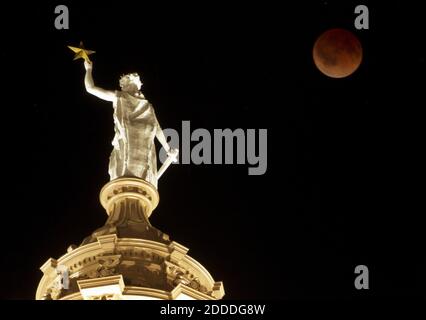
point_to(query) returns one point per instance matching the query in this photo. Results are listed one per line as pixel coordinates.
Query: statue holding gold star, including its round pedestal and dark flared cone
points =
(132, 194)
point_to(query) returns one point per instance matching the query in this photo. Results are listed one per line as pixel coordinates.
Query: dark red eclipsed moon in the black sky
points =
(337, 53)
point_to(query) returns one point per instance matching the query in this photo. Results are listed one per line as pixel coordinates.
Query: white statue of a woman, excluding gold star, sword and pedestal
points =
(136, 127)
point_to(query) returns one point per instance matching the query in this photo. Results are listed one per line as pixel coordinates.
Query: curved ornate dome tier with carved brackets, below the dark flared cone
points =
(141, 263)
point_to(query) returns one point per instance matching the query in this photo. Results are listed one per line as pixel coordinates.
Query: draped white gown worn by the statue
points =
(136, 126)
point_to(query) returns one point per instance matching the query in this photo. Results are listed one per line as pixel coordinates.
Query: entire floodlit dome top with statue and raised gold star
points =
(128, 258)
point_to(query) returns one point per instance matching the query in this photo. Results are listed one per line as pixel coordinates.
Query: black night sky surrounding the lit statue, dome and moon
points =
(343, 182)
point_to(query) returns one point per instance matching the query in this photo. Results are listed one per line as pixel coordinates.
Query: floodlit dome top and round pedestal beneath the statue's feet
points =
(128, 258)
